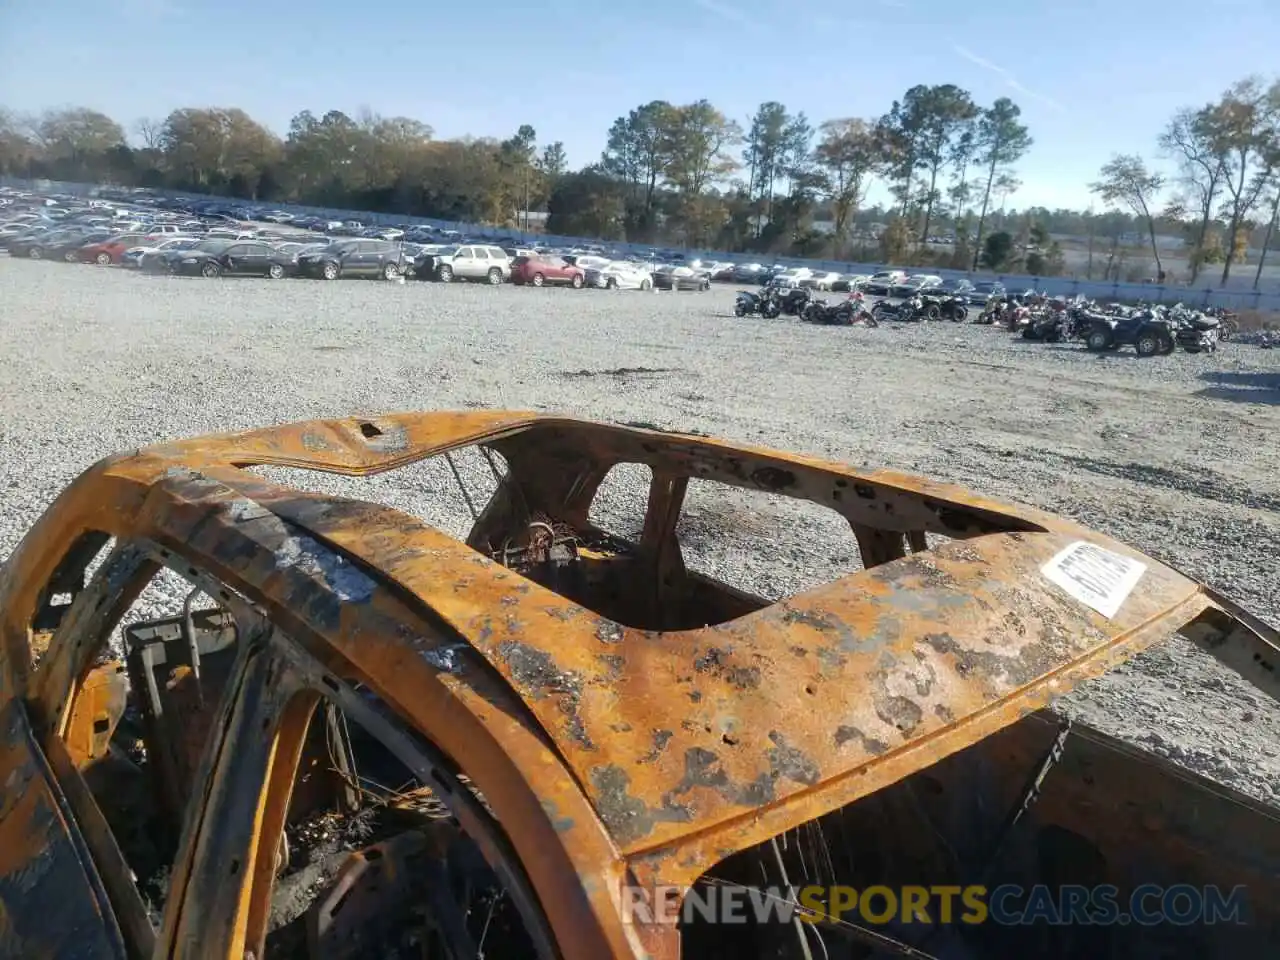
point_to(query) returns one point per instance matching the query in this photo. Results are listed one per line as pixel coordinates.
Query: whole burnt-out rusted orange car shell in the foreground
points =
(548, 714)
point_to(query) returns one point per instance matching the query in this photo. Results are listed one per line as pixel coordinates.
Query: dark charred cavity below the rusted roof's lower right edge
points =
(1104, 815)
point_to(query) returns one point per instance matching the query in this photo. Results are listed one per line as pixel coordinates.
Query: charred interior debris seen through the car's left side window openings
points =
(371, 863)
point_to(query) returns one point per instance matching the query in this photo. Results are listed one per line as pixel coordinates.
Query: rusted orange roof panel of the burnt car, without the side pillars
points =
(707, 740)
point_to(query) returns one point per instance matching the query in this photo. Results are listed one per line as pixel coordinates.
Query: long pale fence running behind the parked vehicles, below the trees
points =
(1229, 298)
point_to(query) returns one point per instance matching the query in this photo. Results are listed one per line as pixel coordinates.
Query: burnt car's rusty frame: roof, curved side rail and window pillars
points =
(609, 753)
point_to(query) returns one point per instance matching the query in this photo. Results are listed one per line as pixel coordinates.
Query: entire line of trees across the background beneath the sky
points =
(691, 175)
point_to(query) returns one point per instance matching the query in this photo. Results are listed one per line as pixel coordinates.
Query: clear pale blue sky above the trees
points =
(1094, 77)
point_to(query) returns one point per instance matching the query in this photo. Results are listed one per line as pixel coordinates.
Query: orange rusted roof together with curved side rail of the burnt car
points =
(614, 749)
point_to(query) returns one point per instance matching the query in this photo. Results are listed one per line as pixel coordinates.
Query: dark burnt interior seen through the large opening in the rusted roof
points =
(540, 522)
